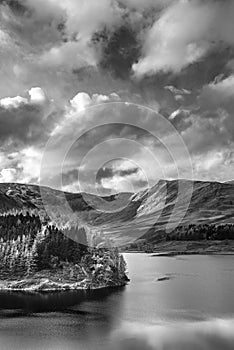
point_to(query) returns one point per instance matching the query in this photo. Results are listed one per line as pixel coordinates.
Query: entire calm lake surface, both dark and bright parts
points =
(192, 309)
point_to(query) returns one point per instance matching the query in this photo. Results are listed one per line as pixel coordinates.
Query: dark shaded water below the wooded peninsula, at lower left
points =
(63, 320)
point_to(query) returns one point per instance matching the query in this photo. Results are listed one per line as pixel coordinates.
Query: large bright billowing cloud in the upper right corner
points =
(184, 34)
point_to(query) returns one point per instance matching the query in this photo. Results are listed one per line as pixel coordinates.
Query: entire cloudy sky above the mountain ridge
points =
(112, 95)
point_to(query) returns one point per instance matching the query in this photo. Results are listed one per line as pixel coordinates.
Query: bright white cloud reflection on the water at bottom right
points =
(207, 335)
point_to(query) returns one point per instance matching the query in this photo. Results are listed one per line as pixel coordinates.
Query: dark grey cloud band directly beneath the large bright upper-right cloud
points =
(192, 78)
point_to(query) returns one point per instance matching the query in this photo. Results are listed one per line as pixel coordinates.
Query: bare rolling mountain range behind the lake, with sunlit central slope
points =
(126, 217)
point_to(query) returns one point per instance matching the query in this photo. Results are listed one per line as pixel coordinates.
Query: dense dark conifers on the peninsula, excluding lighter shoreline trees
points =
(27, 246)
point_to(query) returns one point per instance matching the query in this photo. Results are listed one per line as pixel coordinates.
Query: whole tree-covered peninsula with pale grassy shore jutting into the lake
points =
(37, 256)
